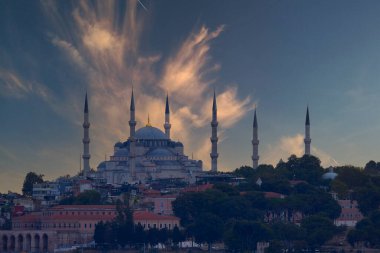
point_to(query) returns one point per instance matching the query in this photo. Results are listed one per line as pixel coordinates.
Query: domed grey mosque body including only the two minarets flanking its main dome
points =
(148, 154)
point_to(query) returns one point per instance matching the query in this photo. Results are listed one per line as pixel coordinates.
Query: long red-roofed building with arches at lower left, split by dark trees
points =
(63, 226)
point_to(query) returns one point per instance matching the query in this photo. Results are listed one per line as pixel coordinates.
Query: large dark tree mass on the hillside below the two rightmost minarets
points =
(241, 216)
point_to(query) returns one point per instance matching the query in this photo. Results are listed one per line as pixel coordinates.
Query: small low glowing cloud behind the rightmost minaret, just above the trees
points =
(289, 145)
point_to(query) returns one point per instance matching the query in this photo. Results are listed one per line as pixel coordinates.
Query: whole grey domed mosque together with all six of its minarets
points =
(150, 154)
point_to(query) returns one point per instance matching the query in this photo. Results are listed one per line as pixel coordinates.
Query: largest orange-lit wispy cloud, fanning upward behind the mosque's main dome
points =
(103, 40)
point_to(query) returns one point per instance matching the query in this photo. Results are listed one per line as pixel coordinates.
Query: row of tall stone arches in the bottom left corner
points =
(26, 241)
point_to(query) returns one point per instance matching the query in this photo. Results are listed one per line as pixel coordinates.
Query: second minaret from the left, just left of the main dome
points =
(132, 147)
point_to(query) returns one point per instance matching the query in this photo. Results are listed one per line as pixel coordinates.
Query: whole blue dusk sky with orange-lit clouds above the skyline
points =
(274, 55)
